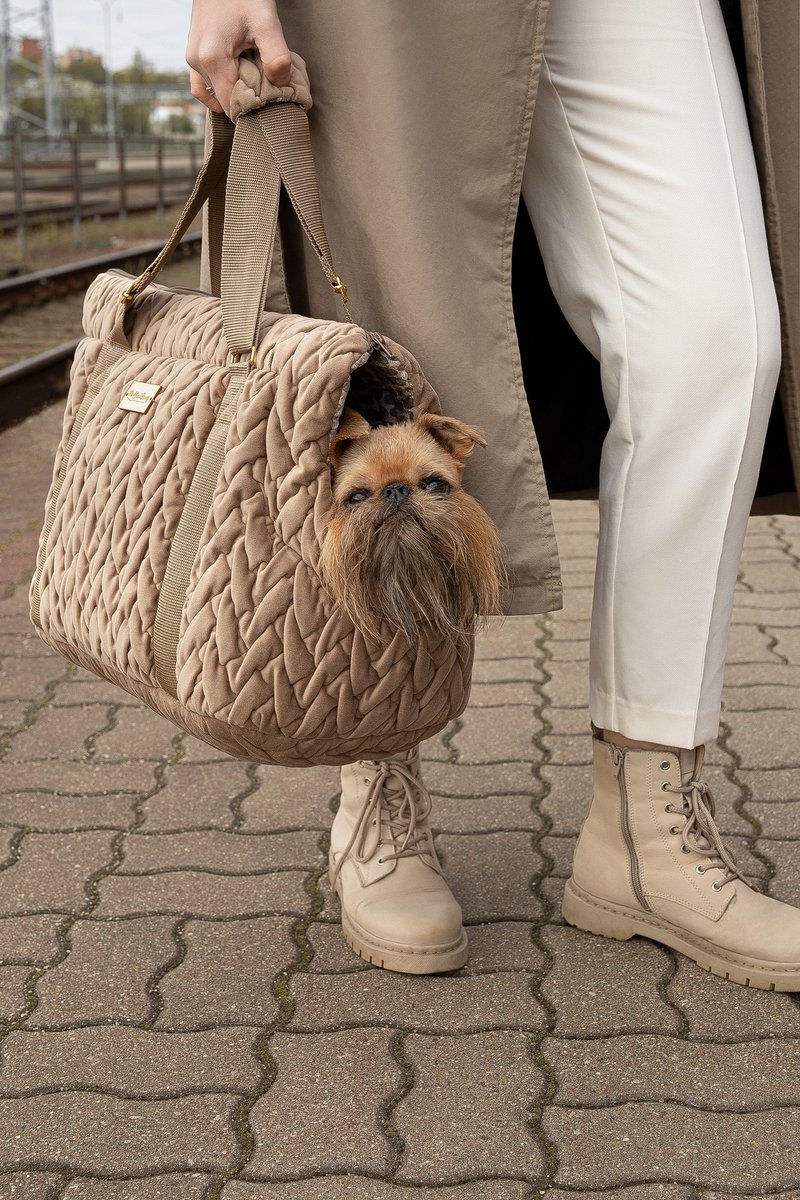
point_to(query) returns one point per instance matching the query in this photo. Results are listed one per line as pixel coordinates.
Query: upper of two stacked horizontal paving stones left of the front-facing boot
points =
(233, 854)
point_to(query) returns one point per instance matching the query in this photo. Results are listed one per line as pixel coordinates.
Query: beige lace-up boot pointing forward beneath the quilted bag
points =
(398, 910)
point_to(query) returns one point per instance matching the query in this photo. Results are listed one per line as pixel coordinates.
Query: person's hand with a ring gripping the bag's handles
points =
(219, 34)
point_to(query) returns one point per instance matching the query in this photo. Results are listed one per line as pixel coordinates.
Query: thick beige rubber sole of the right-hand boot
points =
(596, 916)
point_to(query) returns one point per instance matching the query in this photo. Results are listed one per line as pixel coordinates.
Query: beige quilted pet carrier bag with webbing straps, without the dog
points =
(193, 488)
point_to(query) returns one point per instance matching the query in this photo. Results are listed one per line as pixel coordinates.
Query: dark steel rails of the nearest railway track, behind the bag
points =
(43, 379)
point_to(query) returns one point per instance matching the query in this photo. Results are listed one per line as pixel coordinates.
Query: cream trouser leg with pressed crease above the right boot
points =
(642, 190)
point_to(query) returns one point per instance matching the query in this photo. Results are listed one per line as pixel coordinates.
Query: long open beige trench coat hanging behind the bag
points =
(420, 129)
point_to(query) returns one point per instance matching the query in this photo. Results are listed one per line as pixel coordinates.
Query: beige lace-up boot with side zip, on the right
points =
(651, 861)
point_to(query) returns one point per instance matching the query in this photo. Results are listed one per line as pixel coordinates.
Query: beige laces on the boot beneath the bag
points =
(399, 803)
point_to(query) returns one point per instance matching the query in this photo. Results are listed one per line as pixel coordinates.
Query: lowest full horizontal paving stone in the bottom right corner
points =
(611, 1147)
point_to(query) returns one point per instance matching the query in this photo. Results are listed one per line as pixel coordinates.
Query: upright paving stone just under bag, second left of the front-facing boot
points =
(197, 799)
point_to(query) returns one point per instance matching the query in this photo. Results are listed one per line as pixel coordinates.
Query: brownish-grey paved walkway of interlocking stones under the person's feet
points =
(182, 1018)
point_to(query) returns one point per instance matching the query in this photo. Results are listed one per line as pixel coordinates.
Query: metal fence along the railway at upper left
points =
(67, 181)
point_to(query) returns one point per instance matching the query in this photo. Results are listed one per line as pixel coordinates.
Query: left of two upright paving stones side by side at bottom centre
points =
(322, 1077)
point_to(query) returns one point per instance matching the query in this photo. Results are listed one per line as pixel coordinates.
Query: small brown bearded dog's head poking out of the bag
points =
(408, 549)
